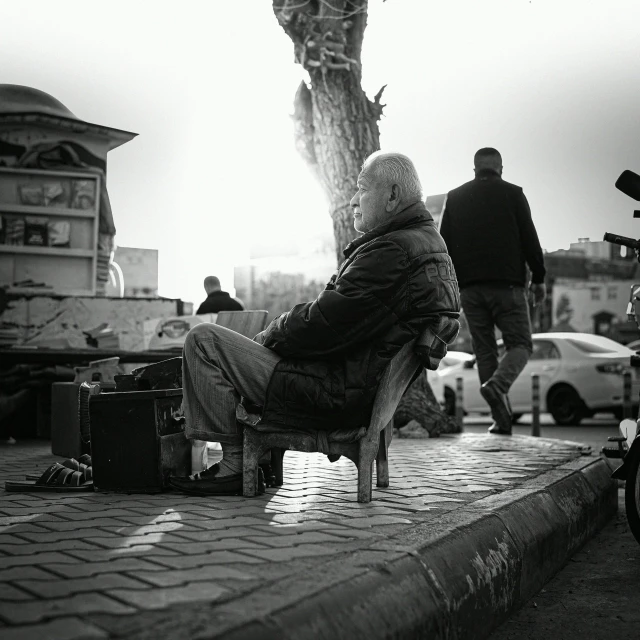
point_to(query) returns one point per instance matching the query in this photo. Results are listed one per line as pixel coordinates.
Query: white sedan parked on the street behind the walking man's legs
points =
(580, 374)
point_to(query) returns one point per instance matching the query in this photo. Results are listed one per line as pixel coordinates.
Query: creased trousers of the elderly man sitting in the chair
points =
(219, 366)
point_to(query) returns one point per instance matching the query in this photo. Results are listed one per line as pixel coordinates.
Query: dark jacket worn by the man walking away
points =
(489, 233)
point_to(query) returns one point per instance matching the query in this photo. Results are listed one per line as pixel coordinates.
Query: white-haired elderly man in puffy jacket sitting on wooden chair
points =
(319, 364)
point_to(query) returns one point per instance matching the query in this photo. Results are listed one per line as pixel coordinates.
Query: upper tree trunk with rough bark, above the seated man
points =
(335, 124)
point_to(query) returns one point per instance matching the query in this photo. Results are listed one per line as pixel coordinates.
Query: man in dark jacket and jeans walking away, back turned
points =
(491, 239)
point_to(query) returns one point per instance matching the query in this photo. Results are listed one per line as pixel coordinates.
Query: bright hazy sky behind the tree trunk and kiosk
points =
(209, 85)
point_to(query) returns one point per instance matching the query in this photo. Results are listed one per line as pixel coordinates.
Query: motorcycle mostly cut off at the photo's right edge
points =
(628, 442)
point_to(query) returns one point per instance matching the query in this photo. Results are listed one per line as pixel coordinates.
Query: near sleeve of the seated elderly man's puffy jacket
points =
(361, 306)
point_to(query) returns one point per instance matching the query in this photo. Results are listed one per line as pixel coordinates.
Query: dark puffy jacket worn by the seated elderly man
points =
(396, 280)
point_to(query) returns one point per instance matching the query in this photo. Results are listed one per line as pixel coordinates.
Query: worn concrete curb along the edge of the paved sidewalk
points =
(458, 577)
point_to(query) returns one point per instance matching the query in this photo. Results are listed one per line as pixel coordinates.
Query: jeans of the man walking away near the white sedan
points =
(486, 307)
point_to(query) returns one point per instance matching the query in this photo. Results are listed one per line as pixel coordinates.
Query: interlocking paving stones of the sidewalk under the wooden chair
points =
(94, 565)
